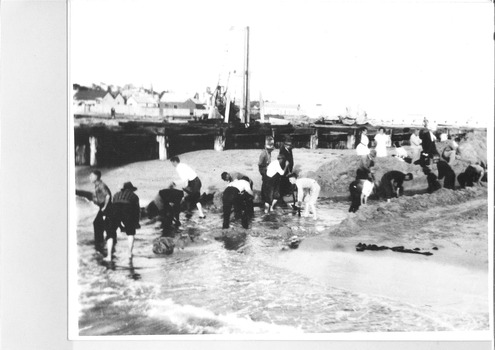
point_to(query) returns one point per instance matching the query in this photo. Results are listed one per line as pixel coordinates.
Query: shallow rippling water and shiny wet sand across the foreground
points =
(242, 281)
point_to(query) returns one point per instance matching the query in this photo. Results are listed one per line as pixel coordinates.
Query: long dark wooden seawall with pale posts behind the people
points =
(131, 141)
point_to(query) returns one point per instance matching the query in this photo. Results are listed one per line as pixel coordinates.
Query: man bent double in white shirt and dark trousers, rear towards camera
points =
(239, 195)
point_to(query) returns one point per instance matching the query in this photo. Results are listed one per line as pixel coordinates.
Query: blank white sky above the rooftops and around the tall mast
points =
(389, 58)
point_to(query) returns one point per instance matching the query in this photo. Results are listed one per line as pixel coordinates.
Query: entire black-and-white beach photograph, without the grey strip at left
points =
(280, 170)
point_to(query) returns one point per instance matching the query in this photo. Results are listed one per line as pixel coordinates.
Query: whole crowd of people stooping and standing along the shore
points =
(278, 181)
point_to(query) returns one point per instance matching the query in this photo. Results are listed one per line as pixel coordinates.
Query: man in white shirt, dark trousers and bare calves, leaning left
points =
(192, 186)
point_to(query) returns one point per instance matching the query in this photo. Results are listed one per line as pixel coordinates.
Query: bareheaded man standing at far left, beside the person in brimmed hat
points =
(102, 197)
